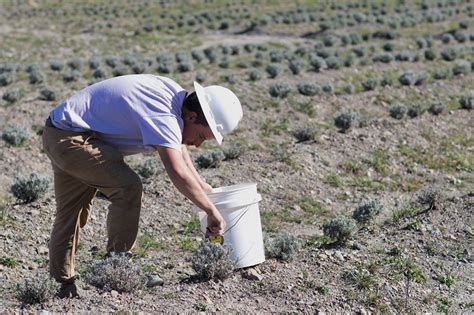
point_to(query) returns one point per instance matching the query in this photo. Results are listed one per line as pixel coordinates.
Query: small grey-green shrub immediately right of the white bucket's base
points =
(283, 247)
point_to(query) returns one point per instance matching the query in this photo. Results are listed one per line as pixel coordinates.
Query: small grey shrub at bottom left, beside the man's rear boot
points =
(38, 290)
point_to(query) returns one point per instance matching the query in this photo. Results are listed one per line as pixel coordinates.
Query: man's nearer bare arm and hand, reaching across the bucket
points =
(183, 178)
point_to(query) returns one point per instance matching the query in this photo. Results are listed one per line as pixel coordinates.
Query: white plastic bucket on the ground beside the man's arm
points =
(238, 205)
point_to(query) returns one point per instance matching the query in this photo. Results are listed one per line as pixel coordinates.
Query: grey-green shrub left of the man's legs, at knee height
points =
(30, 188)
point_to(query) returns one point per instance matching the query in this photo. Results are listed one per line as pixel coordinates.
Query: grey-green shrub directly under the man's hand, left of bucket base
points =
(212, 261)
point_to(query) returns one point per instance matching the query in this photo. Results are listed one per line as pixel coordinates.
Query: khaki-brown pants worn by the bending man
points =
(82, 164)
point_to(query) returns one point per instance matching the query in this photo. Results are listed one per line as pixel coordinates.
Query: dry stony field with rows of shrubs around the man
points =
(345, 102)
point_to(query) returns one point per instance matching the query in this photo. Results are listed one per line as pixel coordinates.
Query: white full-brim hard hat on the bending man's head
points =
(221, 107)
